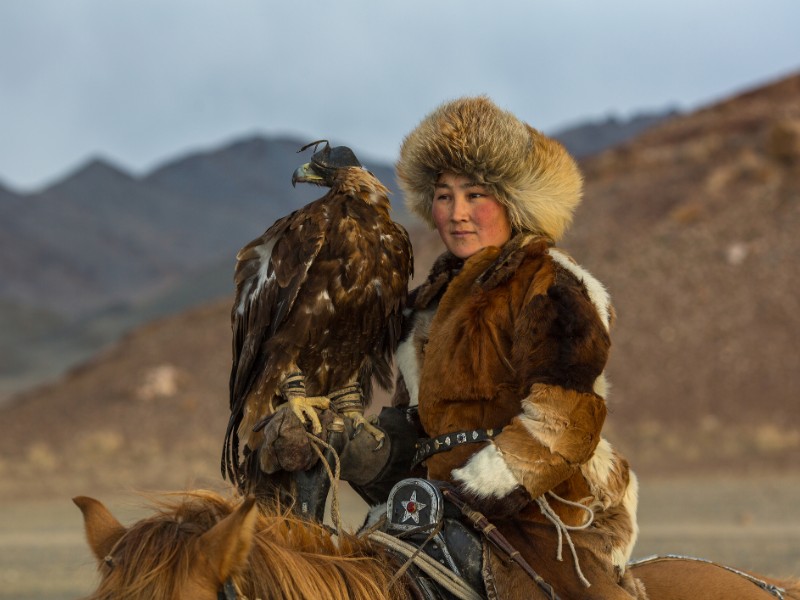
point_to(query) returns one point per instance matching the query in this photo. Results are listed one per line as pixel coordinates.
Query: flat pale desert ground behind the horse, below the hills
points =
(750, 523)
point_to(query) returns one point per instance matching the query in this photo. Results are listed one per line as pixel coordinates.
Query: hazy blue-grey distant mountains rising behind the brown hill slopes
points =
(102, 251)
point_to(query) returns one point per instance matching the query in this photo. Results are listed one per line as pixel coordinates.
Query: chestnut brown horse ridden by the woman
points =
(197, 543)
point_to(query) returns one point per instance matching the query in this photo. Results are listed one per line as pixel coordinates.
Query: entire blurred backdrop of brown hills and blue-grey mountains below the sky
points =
(690, 219)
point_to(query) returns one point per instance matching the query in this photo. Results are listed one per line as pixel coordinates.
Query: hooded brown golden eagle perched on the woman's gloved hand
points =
(318, 307)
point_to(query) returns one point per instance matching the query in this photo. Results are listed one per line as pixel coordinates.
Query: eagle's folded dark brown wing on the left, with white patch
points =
(270, 271)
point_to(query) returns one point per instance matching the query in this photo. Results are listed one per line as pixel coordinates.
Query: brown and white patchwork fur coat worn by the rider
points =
(517, 338)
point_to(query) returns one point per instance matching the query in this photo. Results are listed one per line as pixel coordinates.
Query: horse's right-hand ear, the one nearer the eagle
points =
(227, 544)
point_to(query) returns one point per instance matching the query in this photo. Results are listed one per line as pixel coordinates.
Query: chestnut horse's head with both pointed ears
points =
(187, 552)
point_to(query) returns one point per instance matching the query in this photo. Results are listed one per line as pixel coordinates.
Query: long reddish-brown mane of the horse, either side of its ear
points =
(290, 558)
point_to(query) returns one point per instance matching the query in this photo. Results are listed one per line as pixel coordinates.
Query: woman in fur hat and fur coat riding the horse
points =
(508, 334)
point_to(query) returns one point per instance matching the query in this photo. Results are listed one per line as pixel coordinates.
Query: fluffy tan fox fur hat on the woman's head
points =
(531, 174)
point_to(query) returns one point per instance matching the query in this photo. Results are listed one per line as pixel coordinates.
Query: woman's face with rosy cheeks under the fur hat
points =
(467, 217)
